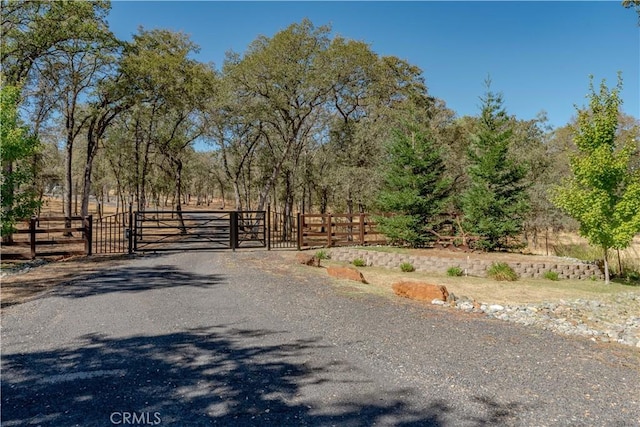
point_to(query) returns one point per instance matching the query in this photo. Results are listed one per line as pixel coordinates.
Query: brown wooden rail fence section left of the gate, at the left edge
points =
(59, 234)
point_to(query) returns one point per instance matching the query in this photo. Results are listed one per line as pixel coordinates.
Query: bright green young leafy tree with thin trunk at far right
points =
(603, 194)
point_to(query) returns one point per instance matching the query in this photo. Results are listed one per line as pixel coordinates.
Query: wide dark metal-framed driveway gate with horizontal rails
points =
(156, 231)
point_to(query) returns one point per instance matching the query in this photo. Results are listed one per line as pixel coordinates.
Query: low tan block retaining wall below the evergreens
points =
(473, 267)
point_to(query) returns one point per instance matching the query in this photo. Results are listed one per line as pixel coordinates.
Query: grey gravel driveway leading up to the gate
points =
(225, 338)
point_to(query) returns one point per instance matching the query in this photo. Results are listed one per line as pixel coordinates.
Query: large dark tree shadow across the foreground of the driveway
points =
(216, 375)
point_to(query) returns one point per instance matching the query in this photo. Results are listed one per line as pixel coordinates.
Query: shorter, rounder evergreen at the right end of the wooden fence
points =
(415, 189)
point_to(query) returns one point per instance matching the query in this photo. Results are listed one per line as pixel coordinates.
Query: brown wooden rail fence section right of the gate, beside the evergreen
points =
(337, 230)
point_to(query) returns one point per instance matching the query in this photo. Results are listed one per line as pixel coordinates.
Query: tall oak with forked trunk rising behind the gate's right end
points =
(287, 82)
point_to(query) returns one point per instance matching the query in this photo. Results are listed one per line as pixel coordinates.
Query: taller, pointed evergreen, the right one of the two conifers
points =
(495, 203)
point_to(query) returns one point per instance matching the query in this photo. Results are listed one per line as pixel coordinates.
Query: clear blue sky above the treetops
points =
(539, 54)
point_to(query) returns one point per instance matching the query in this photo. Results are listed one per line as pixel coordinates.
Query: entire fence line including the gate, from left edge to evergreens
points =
(191, 230)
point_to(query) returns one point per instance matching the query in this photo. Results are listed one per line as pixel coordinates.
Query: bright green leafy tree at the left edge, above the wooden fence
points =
(19, 199)
